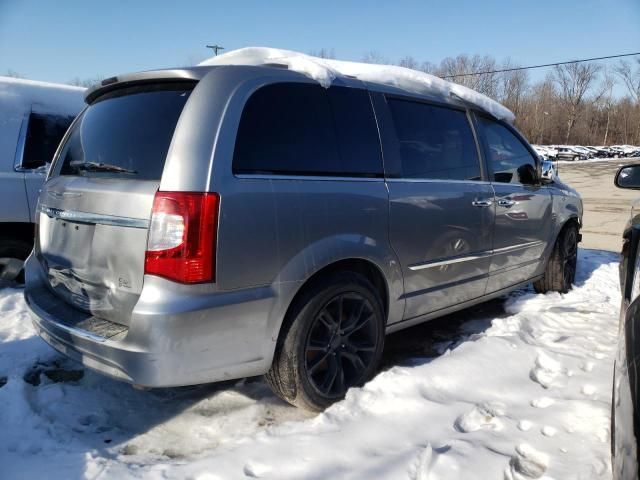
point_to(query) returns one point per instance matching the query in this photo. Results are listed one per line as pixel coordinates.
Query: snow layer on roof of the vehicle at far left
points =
(18, 94)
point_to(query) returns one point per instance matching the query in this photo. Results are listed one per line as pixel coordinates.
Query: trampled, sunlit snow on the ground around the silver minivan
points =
(515, 389)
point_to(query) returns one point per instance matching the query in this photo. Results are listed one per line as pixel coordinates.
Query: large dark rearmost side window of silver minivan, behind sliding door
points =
(305, 129)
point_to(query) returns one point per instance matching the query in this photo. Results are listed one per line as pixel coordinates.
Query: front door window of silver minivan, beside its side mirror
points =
(508, 158)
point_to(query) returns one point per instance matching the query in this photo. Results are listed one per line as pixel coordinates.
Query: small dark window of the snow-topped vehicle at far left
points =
(44, 133)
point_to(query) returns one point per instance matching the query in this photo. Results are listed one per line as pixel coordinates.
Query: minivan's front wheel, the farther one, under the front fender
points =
(560, 272)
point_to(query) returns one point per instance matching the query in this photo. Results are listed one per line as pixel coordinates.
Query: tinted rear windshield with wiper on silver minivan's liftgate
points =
(125, 133)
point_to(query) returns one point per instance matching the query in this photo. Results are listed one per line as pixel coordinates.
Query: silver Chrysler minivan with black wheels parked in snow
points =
(211, 223)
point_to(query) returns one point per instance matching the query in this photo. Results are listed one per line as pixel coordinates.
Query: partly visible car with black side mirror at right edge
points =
(625, 403)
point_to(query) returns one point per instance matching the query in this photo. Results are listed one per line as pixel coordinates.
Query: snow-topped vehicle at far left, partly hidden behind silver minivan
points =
(33, 118)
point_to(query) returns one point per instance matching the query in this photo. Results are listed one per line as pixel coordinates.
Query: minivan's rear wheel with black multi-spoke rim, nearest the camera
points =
(318, 358)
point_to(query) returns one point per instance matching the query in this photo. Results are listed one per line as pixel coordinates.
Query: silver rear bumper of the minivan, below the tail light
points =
(171, 340)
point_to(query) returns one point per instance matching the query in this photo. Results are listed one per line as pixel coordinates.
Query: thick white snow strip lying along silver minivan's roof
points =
(324, 71)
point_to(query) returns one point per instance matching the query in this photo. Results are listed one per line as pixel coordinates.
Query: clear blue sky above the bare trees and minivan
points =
(60, 40)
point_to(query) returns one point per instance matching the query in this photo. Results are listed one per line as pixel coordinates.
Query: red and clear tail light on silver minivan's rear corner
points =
(182, 237)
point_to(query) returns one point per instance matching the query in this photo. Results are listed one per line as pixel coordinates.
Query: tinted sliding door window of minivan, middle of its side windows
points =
(435, 142)
